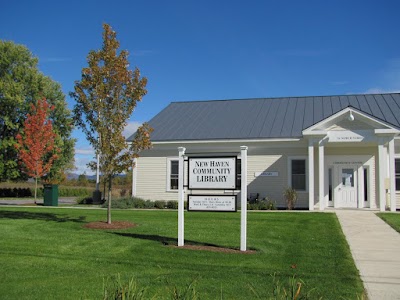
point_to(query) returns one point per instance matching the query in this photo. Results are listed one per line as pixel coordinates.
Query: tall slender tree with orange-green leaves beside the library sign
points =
(106, 97)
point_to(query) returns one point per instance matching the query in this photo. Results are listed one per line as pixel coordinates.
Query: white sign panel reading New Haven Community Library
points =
(212, 173)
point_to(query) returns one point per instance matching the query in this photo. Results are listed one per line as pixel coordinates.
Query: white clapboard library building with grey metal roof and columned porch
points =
(335, 151)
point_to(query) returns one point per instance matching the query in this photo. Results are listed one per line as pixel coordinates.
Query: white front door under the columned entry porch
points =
(348, 195)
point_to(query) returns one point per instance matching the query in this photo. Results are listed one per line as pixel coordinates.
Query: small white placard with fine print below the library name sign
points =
(212, 203)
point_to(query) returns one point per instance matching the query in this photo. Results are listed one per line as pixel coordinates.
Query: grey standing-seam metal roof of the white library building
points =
(263, 118)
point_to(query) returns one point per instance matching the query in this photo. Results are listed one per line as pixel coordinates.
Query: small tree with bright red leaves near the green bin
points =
(36, 143)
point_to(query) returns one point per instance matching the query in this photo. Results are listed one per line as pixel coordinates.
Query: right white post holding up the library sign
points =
(243, 210)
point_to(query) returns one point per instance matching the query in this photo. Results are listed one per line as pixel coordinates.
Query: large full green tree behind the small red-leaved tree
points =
(21, 84)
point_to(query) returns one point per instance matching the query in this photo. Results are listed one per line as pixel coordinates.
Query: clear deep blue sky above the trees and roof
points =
(207, 50)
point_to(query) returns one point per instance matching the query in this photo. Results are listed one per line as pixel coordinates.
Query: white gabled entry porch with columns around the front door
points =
(347, 179)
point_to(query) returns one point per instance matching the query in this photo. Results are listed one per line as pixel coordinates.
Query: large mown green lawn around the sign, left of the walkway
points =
(45, 253)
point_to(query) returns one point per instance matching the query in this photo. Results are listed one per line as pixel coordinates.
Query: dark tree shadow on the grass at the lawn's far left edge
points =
(6, 214)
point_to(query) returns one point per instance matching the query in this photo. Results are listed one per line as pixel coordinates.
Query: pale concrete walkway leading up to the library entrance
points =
(375, 247)
